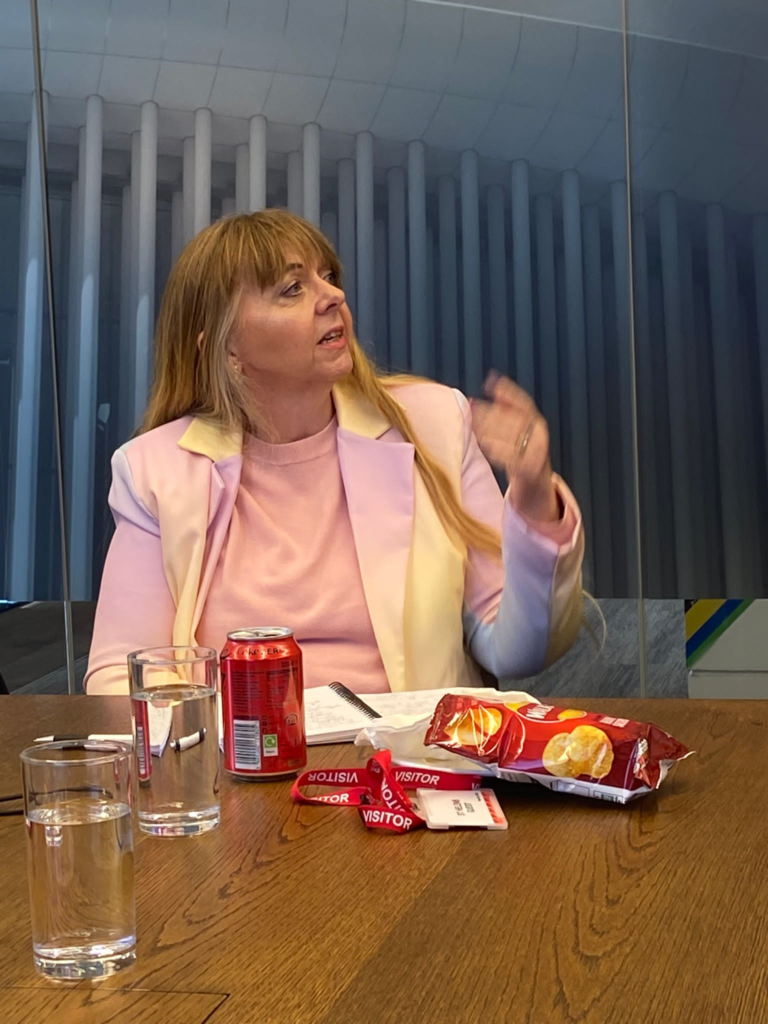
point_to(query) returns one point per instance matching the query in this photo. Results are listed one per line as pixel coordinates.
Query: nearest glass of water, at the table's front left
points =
(77, 797)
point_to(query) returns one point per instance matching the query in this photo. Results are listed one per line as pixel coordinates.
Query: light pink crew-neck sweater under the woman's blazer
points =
(290, 561)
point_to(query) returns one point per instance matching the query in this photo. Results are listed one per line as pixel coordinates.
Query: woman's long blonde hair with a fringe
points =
(194, 374)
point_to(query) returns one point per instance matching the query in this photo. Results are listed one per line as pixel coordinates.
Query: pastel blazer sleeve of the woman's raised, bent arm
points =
(523, 615)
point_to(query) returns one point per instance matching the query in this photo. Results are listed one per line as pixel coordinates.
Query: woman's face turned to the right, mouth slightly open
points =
(295, 332)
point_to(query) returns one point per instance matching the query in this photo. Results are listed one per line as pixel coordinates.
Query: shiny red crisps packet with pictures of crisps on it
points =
(569, 751)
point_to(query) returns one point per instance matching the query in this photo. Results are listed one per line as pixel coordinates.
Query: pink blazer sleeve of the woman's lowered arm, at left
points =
(136, 609)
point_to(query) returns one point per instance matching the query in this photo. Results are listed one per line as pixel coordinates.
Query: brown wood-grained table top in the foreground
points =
(297, 915)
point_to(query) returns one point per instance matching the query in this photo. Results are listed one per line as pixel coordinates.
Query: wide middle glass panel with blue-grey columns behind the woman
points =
(467, 161)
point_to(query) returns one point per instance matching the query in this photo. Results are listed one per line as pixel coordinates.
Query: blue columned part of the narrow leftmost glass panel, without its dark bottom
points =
(30, 568)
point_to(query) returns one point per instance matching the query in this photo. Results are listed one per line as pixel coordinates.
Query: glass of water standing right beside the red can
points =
(176, 740)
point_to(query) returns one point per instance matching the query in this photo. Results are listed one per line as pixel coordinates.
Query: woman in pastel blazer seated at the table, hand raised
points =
(279, 481)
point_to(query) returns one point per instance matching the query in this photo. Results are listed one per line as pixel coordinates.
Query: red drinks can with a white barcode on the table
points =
(263, 703)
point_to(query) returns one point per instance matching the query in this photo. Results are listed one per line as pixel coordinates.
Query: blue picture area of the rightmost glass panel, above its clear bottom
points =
(701, 251)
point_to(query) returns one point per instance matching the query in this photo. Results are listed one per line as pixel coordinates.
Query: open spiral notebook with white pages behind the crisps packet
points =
(335, 715)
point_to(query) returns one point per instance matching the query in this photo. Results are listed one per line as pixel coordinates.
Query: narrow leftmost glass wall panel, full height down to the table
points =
(33, 653)
